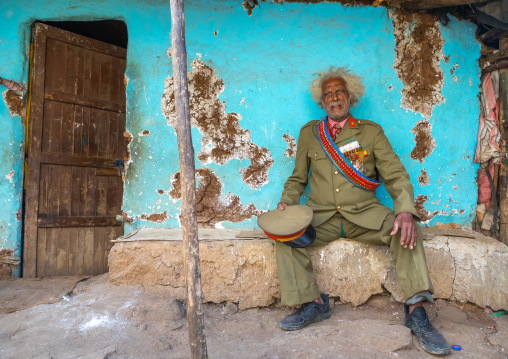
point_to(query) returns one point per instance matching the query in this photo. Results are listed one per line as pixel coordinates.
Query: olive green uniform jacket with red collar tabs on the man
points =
(330, 191)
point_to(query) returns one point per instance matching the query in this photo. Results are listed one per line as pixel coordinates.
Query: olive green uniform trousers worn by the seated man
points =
(297, 281)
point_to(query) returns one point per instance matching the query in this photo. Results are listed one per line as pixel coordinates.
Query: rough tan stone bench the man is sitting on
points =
(464, 267)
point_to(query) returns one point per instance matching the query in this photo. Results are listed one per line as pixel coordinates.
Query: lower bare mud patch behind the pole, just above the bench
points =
(211, 208)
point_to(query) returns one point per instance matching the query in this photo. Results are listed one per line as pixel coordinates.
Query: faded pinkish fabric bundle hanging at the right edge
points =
(487, 149)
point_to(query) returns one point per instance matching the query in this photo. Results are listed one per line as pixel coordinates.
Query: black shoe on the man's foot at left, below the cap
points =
(308, 313)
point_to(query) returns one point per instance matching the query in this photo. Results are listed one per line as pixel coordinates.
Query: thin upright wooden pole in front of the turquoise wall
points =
(188, 216)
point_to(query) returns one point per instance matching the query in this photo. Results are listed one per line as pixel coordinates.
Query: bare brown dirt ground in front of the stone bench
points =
(93, 319)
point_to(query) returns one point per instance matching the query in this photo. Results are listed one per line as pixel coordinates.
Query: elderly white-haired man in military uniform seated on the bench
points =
(348, 159)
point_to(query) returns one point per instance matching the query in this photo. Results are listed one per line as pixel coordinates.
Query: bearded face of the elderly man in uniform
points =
(336, 99)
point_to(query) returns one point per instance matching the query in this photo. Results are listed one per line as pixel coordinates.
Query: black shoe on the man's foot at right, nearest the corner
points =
(430, 339)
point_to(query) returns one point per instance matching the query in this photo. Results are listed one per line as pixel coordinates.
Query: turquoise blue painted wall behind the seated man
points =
(270, 57)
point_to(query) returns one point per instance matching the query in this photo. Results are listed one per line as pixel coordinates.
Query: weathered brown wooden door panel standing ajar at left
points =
(76, 150)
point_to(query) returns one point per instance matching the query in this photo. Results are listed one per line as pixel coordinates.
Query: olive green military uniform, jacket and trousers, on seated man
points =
(339, 206)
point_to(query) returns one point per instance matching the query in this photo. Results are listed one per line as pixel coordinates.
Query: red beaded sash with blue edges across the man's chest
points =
(340, 162)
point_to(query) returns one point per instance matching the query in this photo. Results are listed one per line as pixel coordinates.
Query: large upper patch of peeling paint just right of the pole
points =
(222, 137)
